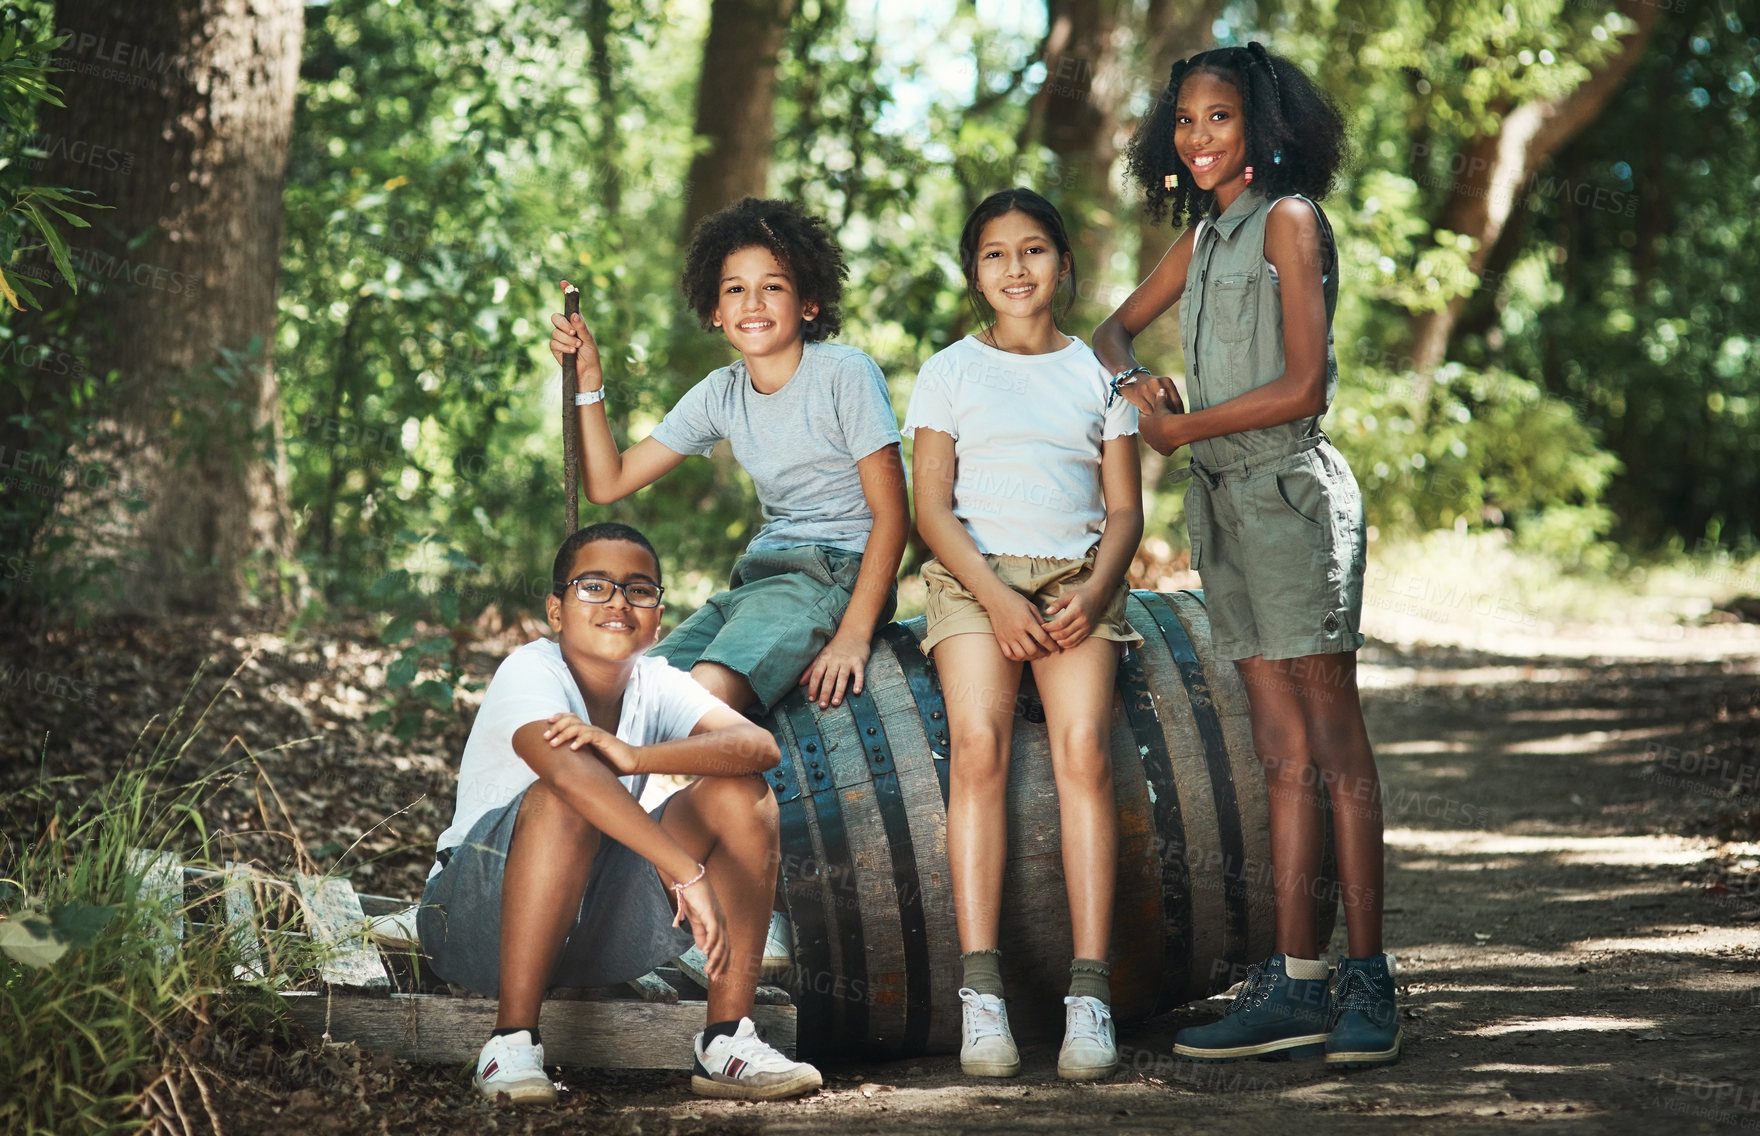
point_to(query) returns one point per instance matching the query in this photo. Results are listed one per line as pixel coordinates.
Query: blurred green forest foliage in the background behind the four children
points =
(451, 163)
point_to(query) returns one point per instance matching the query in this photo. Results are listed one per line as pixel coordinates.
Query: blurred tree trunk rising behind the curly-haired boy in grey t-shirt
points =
(737, 105)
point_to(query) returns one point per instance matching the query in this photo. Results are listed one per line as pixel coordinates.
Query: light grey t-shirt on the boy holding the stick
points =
(800, 445)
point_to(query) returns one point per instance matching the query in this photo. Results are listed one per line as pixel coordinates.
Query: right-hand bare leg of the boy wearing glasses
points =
(730, 823)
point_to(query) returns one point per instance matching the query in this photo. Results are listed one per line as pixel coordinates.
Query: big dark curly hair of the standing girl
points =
(1286, 112)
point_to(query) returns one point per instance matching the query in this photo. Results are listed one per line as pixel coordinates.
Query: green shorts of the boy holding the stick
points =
(781, 610)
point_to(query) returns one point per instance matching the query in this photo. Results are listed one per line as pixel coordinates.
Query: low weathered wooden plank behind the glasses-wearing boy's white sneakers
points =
(450, 1031)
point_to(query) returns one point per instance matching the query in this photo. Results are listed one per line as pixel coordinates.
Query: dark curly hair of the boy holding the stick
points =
(802, 244)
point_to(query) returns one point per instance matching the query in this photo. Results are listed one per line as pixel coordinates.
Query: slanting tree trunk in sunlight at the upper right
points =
(1499, 168)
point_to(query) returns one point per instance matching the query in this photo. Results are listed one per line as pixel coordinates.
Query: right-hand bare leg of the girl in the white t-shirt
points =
(1080, 721)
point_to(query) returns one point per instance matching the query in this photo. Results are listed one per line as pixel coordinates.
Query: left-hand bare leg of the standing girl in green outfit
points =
(1293, 786)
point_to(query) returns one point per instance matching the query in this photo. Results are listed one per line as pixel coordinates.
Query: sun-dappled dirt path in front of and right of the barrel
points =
(1576, 936)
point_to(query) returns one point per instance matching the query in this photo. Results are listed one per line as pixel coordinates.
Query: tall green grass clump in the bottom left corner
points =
(105, 1015)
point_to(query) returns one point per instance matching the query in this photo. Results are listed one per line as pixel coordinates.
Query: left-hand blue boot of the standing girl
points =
(1273, 1017)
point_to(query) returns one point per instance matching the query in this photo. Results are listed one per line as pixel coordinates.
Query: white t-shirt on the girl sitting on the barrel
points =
(1027, 436)
